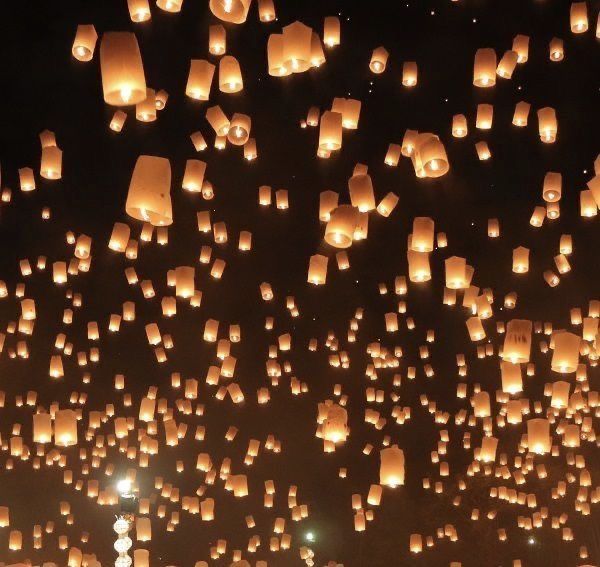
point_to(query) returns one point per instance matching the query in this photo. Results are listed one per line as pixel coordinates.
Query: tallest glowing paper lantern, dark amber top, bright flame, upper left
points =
(123, 80)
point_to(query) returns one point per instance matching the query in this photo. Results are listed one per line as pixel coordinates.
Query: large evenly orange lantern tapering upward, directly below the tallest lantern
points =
(149, 197)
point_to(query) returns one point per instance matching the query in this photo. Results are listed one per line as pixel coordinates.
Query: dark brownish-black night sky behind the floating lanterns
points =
(45, 87)
